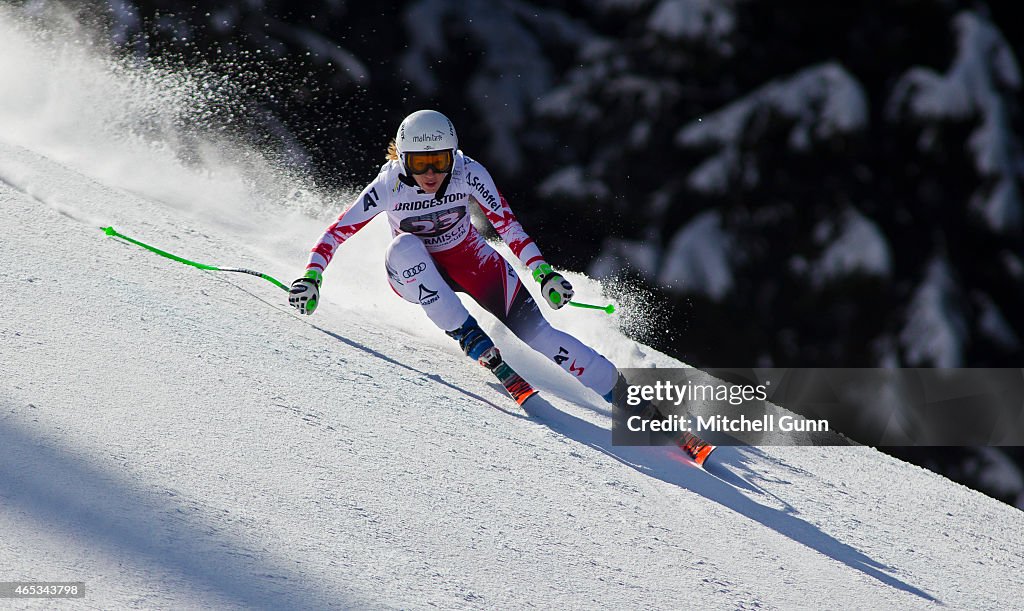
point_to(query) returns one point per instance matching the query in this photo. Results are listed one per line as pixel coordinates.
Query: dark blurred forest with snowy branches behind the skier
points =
(800, 185)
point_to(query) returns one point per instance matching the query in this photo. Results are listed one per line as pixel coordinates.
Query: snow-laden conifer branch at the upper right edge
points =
(982, 83)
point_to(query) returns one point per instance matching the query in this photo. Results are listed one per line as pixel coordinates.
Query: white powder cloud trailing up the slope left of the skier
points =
(162, 134)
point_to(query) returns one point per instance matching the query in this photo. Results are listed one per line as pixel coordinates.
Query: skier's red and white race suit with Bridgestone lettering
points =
(438, 251)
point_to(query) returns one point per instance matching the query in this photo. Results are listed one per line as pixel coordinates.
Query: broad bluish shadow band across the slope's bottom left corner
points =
(100, 511)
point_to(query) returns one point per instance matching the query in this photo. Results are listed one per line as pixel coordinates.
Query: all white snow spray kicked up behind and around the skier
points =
(158, 134)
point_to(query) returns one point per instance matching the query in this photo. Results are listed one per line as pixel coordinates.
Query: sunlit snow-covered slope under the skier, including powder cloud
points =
(181, 440)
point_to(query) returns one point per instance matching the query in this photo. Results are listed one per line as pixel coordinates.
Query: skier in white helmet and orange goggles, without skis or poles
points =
(426, 190)
